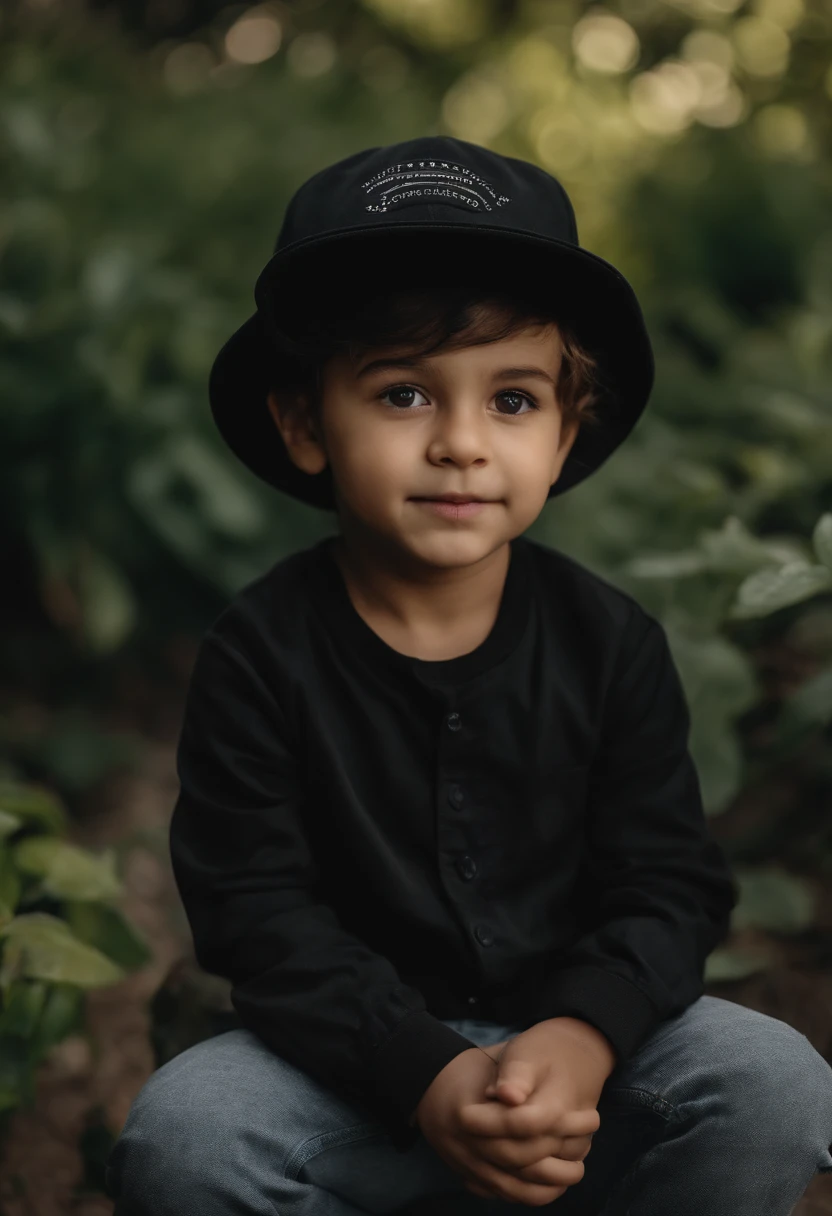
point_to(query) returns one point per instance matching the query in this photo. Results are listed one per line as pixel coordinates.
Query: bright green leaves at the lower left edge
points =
(61, 934)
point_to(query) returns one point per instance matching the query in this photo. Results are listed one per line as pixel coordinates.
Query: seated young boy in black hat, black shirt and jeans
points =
(436, 790)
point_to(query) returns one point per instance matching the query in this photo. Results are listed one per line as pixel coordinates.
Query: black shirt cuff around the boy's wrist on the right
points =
(612, 1005)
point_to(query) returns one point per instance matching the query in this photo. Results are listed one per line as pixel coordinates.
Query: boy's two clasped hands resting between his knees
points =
(527, 1142)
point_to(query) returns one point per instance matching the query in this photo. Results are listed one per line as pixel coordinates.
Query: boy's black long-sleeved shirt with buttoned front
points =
(367, 843)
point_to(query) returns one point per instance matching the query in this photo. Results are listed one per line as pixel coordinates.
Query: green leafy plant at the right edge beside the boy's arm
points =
(734, 581)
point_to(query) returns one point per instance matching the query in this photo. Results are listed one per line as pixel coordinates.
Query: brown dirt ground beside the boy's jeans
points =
(91, 1080)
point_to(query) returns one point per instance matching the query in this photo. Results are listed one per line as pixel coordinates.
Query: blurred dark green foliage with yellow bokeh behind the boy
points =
(148, 153)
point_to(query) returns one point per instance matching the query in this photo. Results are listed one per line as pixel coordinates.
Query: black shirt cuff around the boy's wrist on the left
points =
(407, 1065)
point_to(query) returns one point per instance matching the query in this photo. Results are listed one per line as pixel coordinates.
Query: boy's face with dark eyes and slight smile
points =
(482, 421)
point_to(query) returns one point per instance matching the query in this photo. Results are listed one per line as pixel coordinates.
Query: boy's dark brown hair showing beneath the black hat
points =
(423, 320)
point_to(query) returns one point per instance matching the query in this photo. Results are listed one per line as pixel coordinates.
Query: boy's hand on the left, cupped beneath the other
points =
(524, 1168)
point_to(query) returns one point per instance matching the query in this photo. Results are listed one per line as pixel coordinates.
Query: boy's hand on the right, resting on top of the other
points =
(549, 1078)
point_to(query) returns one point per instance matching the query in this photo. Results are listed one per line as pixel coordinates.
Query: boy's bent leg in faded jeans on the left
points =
(232, 1122)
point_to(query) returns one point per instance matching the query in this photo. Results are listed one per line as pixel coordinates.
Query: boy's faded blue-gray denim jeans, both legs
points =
(723, 1111)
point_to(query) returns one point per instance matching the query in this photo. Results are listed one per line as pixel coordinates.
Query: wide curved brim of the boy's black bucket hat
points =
(594, 296)
